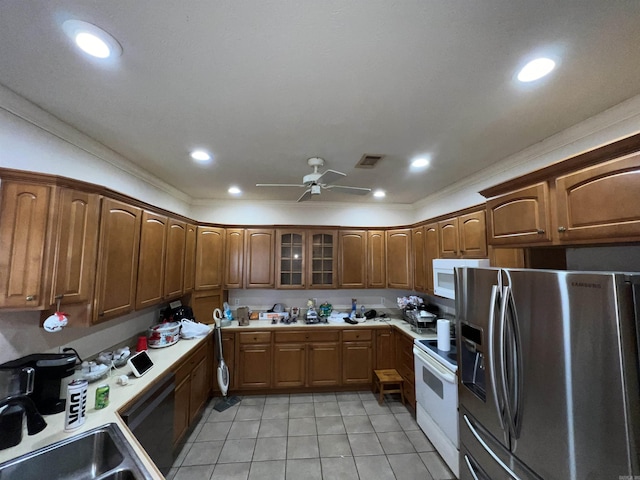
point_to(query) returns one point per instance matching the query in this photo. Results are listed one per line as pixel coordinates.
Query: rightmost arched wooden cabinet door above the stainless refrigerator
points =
(601, 202)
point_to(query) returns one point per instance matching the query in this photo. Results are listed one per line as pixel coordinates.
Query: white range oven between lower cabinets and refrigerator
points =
(437, 398)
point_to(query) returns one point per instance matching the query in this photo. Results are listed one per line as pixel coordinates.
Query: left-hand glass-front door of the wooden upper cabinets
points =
(290, 264)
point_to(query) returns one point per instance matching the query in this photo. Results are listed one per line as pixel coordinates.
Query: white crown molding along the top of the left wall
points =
(33, 114)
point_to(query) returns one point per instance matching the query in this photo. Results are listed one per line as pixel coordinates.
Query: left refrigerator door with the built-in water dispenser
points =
(477, 305)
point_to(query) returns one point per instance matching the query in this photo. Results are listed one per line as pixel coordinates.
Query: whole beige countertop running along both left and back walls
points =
(163, 359)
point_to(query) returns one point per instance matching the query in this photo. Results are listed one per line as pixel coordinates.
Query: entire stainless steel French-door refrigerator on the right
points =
(549, 374)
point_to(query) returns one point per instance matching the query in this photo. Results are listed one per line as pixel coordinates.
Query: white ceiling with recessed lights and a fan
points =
(266, 84)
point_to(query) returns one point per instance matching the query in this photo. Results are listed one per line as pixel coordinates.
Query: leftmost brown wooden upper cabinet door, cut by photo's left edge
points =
(24, 216)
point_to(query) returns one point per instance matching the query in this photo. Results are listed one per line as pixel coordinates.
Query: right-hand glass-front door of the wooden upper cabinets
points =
(323, 259)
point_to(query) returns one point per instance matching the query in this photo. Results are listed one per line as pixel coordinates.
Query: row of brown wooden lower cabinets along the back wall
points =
(324, 357)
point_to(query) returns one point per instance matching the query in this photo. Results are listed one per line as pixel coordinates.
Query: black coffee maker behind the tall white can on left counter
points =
(49, 370)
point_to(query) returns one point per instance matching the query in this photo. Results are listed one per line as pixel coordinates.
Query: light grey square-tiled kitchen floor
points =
(314, 436)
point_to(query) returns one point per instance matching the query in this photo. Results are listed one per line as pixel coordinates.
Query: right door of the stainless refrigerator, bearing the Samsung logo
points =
(571, 412)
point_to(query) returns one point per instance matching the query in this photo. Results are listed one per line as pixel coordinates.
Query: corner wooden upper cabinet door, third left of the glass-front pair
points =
(209, 258)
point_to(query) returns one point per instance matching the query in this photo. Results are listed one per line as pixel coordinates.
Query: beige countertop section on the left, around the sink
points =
(119, 396)
